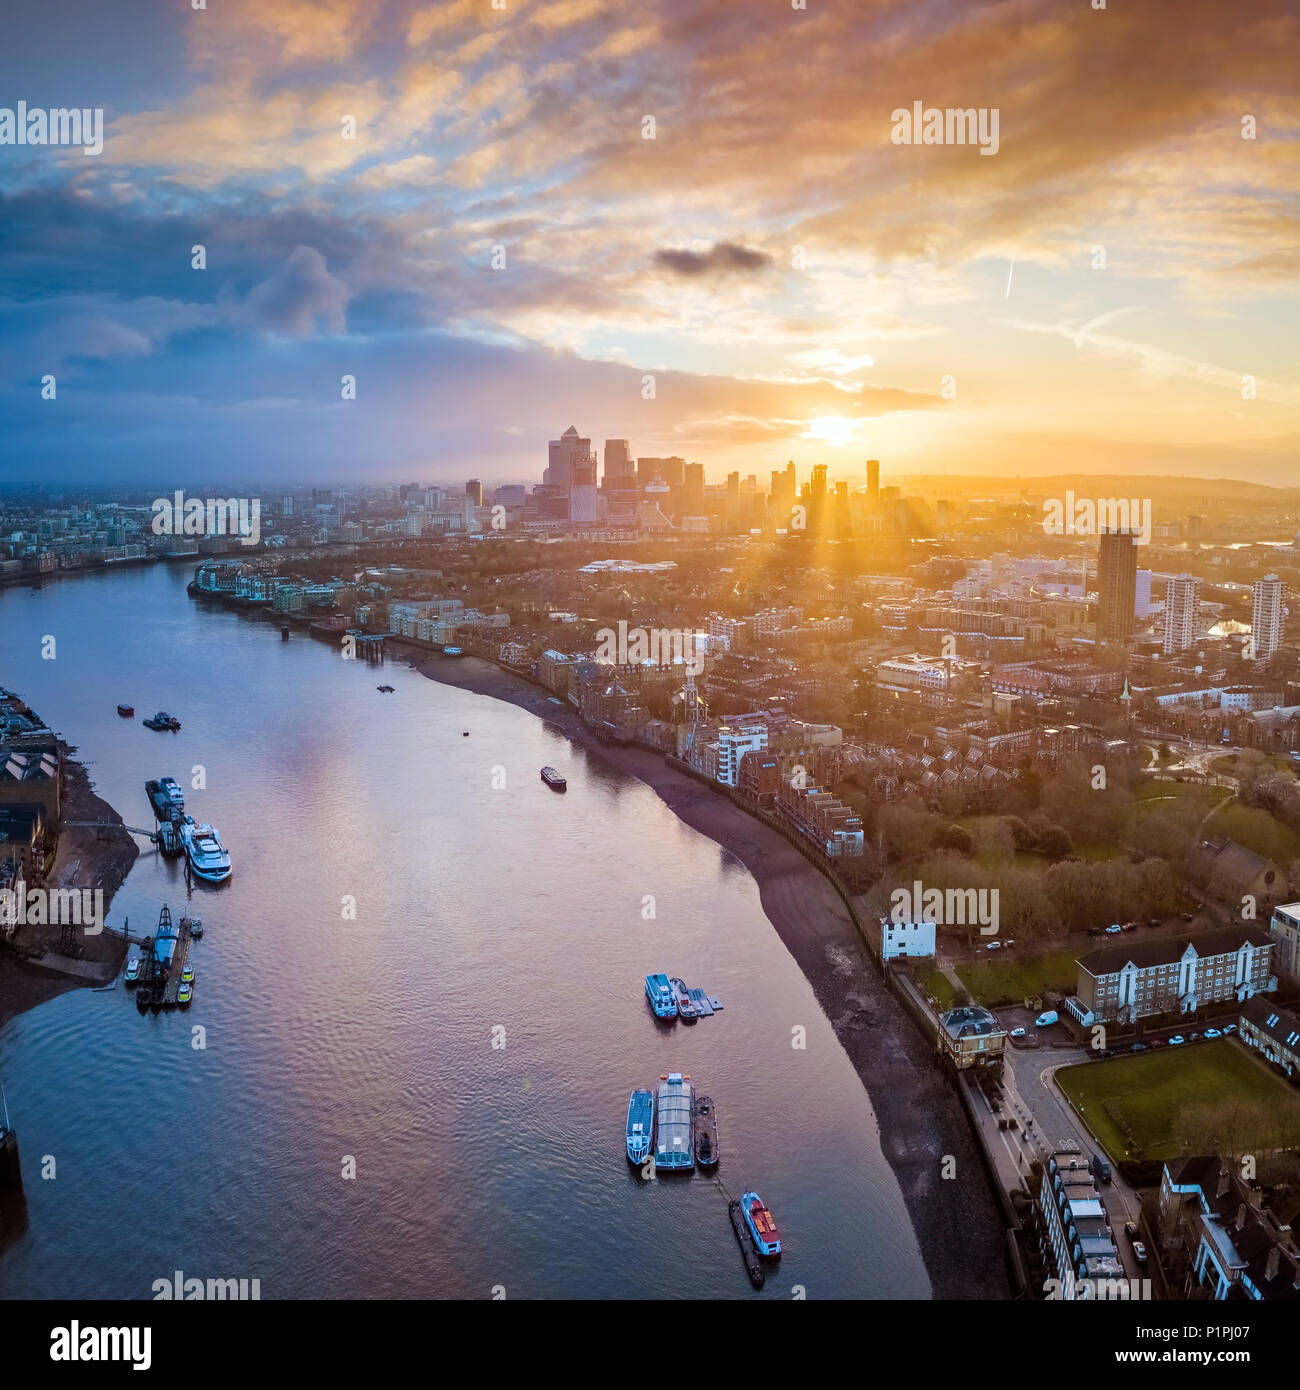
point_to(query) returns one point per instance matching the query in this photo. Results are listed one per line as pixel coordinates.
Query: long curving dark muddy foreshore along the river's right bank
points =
(921, 1118)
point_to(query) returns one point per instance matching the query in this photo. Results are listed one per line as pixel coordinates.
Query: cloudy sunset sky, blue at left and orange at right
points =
(522, 129)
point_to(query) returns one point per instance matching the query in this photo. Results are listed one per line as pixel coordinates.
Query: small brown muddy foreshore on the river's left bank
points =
(84, 861)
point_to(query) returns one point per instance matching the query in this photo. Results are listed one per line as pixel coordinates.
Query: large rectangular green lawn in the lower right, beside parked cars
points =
(1156, 1106)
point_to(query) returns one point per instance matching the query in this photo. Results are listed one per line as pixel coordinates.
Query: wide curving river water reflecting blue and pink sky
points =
(483, 914)
